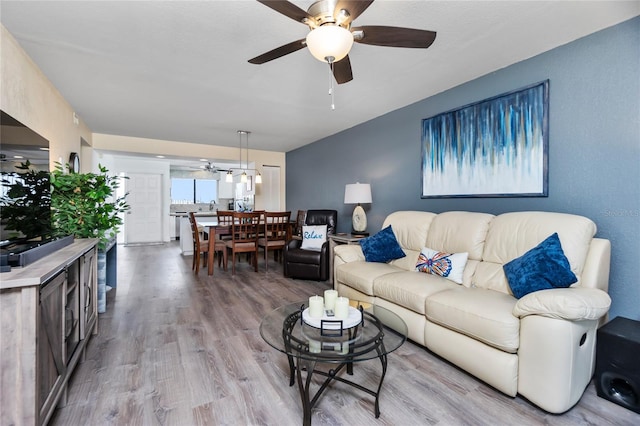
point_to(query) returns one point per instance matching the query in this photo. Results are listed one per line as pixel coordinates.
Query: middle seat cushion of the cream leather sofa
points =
(410, 289)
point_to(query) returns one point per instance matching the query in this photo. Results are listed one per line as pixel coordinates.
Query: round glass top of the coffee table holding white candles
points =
(380, 333)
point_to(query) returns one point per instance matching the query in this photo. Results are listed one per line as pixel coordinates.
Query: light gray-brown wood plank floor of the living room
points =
(178, 349)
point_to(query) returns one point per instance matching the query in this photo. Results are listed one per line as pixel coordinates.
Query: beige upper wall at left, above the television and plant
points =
(29, 97)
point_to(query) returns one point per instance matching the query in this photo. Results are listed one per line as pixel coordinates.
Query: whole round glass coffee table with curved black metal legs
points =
(374, 333)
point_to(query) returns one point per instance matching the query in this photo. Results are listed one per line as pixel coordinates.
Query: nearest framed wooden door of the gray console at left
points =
(51, 342)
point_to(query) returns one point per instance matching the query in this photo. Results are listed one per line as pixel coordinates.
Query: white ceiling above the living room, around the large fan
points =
(178, 70)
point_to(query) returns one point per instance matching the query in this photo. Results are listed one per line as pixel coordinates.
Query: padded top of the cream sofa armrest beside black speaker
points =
(574, 303)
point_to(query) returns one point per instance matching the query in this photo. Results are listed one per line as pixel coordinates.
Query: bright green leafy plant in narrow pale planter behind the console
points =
(86, 205)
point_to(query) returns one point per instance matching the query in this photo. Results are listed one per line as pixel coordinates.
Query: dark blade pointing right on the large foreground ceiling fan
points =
(393, 36)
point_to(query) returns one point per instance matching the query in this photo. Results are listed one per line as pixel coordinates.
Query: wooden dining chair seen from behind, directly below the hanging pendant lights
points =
(244, 237)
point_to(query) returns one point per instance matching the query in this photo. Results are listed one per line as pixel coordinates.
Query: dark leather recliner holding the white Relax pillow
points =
(310, 264)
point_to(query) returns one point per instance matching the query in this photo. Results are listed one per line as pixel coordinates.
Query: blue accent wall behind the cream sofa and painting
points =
(594, 151)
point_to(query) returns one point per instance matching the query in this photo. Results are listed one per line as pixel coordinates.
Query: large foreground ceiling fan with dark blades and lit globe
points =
(332, 35)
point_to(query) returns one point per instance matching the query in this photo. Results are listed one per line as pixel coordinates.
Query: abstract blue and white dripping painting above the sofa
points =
(493, 148)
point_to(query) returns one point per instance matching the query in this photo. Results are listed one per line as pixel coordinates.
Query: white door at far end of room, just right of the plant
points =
(143, 223)
